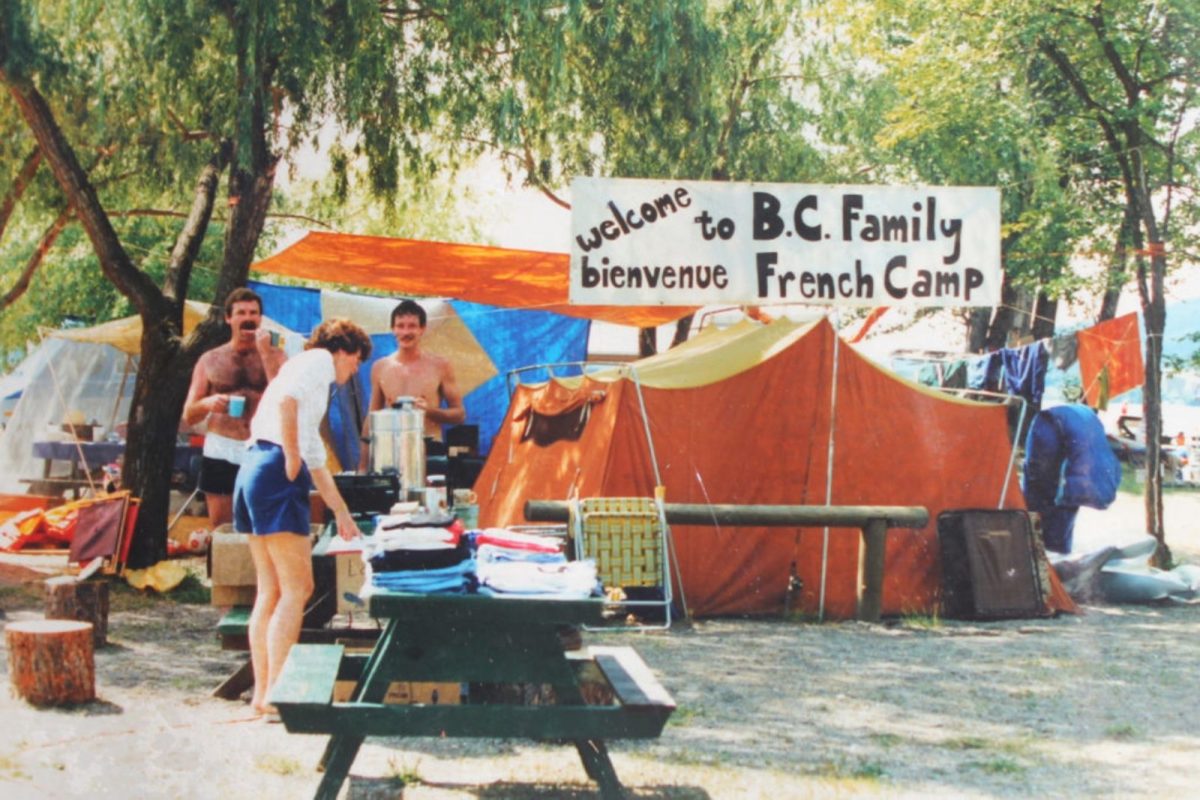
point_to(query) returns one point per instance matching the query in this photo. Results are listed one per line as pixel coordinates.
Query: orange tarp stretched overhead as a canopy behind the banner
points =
(513, 279)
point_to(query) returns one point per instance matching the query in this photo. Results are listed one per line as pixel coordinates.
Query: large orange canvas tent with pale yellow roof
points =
(745, 417)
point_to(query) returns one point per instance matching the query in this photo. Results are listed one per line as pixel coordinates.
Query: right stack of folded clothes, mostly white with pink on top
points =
(512, 564)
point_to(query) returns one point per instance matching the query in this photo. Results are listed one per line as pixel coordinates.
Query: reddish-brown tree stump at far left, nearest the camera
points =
(51, 661)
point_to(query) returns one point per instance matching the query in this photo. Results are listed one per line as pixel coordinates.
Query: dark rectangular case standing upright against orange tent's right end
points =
(988, 566)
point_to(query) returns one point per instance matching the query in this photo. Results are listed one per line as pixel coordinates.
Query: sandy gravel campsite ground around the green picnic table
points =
(1101, 705)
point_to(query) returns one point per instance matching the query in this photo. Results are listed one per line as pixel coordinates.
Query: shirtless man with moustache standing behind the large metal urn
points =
(411, 372)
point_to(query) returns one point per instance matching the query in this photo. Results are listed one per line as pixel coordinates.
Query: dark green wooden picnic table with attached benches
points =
(478, 640)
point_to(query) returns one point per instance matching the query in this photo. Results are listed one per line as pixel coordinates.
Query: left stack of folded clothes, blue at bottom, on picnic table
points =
(422, 554)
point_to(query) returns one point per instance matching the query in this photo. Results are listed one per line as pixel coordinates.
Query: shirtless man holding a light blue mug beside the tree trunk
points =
(241, 368)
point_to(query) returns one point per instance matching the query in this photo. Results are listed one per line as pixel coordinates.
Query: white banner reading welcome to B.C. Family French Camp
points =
(644, 243)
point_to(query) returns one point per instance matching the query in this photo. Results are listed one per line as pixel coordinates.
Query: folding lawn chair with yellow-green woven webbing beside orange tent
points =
(628, 538)
